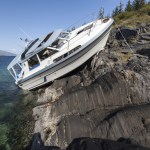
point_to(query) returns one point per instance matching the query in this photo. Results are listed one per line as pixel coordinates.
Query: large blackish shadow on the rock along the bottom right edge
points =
(100, 144)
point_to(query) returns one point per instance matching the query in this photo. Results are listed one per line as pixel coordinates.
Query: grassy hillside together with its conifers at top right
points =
(134, 13)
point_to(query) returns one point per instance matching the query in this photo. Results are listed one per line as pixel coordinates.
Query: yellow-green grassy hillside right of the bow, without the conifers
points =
(134, 18)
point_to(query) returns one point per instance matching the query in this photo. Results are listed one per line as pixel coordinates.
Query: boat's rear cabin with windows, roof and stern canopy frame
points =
(36, 52)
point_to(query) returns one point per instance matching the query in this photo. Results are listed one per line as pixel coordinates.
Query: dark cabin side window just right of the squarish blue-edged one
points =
(46, 53)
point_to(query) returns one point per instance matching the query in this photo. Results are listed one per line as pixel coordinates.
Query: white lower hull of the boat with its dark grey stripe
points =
(68, 65)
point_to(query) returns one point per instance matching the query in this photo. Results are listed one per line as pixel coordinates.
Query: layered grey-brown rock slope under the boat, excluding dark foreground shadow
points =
(107, 97)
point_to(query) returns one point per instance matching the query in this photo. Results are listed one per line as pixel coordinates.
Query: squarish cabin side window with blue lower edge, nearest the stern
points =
(33, 62)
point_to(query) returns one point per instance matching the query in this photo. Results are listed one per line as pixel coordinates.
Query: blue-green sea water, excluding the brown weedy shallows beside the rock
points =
(8, 96)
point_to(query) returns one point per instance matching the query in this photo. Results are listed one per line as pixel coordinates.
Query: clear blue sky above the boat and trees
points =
(39, 17)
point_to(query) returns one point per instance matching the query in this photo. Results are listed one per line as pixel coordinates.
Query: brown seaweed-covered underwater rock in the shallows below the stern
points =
(21, 122)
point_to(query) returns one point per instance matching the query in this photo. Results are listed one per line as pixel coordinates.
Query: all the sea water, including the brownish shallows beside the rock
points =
(16, 122)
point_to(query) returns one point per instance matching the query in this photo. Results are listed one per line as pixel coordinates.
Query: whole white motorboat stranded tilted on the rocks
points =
(58, 53)
